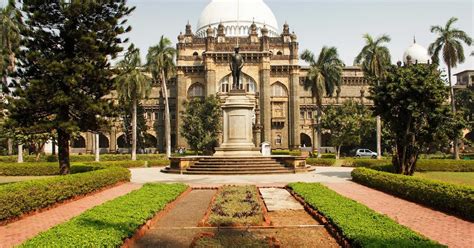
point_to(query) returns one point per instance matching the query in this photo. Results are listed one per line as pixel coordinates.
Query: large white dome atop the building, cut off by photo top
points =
(237, 16)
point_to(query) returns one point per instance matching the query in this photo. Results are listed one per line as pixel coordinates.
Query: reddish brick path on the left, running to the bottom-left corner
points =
(17, 232)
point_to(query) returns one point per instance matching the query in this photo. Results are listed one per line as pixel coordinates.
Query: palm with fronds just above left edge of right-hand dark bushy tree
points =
(374, 59)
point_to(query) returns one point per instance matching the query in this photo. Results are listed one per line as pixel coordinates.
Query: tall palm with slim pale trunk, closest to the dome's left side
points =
(160, 62)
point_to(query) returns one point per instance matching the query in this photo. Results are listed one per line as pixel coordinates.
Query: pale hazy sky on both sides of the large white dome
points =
(320, 22)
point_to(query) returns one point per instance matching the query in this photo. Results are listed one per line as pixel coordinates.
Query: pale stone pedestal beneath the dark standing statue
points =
(237, 129)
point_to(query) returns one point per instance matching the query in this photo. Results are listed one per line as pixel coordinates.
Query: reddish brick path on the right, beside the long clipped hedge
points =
(445, 229)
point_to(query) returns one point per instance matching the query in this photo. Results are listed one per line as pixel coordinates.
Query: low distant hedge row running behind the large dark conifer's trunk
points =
(84, 158)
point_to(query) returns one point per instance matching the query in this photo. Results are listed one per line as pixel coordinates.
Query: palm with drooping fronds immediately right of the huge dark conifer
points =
(132, 84)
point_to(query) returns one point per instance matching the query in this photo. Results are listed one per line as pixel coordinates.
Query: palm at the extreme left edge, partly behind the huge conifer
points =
(9, 44)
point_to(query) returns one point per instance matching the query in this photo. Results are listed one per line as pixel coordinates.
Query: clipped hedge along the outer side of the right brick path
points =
(446, 197)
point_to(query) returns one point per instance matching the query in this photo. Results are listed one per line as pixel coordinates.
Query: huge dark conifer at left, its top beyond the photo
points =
(64, 69)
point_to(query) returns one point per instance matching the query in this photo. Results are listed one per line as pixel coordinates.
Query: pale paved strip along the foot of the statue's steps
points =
(322, 174)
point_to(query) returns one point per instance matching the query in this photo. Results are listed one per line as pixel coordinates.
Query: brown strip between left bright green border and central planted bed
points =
(174, 230)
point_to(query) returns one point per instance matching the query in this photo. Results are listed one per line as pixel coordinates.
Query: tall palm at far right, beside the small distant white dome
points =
(449, 42)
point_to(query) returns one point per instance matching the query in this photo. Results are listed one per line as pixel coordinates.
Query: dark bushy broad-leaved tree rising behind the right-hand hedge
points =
(410, 101)
